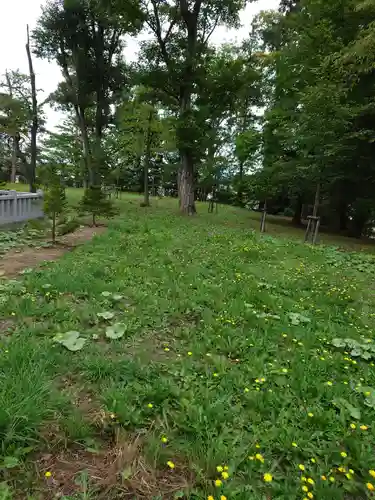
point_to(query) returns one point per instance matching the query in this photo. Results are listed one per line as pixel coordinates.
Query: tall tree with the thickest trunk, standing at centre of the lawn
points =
(174, 59)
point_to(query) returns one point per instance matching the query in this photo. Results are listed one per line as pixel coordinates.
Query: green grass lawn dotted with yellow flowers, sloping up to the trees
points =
(227, 353)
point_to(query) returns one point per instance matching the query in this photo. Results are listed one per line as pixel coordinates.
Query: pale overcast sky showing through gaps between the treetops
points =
(16, 14)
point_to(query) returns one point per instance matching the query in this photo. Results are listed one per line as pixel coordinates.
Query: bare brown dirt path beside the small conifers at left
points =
(13, 262)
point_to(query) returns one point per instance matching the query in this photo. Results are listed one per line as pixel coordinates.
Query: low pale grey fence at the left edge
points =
(16, 206)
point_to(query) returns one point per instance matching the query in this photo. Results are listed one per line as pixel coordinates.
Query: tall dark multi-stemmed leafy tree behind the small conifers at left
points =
(85, 38)
